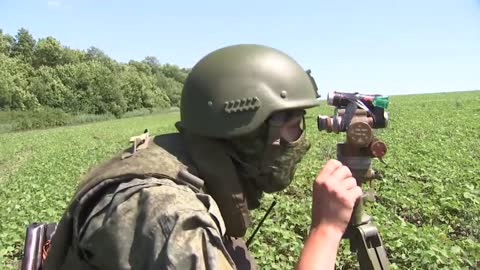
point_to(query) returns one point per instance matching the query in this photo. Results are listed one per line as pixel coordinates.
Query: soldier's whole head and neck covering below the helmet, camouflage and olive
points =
(237, 171)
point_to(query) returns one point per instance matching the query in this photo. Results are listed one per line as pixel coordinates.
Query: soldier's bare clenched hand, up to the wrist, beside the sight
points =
(335, 192)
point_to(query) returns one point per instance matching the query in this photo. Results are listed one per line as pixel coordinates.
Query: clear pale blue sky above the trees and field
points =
(383, 46)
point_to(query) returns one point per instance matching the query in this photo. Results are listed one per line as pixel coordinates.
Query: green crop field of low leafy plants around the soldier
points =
(427, 207)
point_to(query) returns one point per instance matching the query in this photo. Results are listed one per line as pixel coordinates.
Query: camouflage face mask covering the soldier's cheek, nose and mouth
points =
(267, 161)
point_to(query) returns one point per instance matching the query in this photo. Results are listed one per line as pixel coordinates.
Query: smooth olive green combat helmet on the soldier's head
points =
(233, 90)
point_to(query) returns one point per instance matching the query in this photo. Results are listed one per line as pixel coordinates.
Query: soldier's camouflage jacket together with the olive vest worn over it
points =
(137, 211)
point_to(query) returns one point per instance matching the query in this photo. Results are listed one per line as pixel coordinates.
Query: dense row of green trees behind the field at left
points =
(45, 74)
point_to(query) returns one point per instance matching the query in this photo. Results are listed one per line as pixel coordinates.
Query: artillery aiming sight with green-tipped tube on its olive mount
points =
(358, 115)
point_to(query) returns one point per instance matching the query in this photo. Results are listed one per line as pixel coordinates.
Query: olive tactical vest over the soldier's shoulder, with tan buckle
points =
(162, 156)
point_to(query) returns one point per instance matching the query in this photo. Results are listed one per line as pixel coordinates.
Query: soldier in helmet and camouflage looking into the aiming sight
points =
(182, 200)
